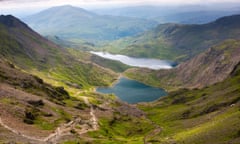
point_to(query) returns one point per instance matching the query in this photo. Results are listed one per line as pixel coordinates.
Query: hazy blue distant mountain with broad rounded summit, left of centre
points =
(71, 23)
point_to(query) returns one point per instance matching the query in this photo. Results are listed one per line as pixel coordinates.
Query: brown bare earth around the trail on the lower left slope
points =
(13, 104)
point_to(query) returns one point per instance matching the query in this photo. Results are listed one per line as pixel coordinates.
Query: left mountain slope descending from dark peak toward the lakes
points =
(36, 54)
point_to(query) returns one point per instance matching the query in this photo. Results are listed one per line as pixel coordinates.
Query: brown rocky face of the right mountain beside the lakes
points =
(210, 67)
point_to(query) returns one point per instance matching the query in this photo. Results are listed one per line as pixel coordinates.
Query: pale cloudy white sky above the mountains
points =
(24, 7)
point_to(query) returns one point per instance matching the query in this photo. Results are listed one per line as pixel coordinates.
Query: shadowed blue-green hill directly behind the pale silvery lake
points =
(176, 41)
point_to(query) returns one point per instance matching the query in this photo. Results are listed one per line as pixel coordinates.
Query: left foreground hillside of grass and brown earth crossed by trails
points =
(33, 111)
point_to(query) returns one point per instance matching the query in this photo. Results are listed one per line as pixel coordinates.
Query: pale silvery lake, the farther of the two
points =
(138, 62)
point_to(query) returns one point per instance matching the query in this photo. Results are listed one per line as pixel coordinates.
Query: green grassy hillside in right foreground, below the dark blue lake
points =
(200, 116)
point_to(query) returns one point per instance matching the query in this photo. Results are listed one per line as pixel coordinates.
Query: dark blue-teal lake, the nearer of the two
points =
(132, 91)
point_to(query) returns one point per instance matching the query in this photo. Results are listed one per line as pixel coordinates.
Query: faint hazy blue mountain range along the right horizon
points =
(190, 14)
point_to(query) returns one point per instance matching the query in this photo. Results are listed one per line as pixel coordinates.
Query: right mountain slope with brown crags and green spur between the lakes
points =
(205, 69)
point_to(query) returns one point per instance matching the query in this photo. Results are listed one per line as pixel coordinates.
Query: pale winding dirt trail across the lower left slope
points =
(65, 129)
